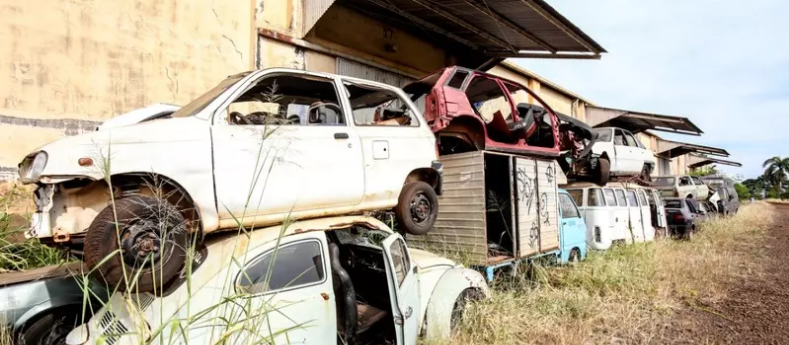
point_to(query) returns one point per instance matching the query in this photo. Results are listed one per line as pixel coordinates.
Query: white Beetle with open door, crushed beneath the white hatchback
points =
(340, 280)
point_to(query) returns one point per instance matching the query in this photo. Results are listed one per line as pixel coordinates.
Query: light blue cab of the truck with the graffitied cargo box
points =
(572, 234)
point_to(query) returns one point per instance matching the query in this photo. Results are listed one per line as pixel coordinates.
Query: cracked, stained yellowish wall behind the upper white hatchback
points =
(67, 64)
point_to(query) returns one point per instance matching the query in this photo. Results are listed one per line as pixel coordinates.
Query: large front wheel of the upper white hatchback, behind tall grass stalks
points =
(142, 222)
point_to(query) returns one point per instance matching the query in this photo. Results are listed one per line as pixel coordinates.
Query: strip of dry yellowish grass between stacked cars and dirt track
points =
(624, 295)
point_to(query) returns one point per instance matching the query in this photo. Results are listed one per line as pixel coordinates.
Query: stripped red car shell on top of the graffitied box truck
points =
(451, 114)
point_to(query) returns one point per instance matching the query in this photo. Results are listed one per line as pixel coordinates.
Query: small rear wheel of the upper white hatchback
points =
(417, 208)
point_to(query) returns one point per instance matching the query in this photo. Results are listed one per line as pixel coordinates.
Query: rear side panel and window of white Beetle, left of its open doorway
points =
(275, 292)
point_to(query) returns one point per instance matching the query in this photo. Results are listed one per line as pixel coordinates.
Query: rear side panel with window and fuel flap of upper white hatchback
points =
(395, 140)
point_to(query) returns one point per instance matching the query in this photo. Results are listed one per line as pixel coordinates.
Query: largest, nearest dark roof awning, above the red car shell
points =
(495, 29)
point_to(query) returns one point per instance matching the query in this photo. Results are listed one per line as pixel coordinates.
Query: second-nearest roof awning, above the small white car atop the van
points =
(636, 122)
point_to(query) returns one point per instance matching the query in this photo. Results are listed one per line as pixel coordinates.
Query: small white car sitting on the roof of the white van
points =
(622, 154)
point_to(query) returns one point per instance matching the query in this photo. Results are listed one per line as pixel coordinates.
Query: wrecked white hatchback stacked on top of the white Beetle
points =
(256, 149)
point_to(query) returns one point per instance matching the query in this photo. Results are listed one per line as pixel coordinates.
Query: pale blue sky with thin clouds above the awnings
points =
(723, 64)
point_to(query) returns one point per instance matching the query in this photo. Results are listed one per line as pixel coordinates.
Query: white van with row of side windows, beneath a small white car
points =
(617, 212)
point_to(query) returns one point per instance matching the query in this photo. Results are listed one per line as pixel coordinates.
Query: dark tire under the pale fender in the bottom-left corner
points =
(51, 328)
